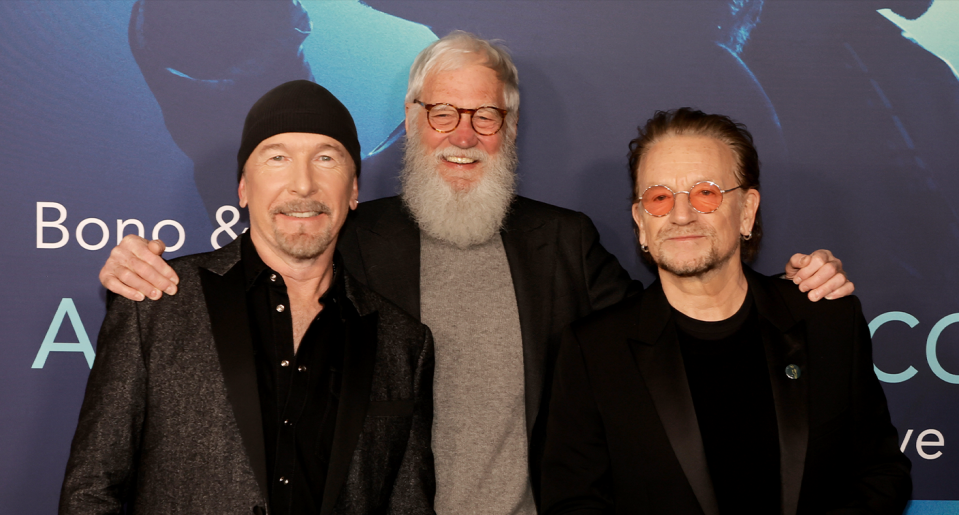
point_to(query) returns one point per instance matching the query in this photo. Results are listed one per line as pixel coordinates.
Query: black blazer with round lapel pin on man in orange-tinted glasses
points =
(623, 435)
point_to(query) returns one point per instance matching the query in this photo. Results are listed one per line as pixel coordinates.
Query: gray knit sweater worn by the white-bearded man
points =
(479, 423)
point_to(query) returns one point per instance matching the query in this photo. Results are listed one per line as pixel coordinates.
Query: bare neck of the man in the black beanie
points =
(304, 278)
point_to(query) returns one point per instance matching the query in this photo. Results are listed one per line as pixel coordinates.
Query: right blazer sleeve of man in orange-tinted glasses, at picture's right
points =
(883, 482)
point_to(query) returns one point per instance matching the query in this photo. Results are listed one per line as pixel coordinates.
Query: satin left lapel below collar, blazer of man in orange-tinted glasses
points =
(665, 376)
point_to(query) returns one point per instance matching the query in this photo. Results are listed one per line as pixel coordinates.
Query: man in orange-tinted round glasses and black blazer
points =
(716, 390)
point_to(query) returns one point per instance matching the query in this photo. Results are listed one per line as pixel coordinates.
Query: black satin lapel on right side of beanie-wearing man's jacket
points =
(358, 359)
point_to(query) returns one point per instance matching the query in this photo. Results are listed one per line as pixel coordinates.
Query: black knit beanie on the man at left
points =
(298, 106)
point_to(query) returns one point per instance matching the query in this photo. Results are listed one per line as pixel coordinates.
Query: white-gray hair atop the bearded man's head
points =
(458, 49)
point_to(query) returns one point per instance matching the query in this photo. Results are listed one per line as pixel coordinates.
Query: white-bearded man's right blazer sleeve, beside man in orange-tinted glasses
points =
(606, 280)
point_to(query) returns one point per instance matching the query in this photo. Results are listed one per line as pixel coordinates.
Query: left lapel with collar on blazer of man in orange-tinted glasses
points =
(656, 349)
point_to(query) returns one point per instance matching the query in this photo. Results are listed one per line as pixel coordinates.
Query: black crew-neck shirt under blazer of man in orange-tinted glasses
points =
(728, 378)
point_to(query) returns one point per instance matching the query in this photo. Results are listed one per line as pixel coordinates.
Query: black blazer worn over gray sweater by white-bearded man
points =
(560, 273)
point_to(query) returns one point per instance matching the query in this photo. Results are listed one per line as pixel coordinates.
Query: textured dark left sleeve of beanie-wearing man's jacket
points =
(100, 473)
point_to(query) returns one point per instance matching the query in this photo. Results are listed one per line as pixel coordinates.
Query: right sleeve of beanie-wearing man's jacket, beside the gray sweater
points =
(415, 483)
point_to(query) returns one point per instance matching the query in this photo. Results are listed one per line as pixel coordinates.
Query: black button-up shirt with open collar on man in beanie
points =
(299, 392)
